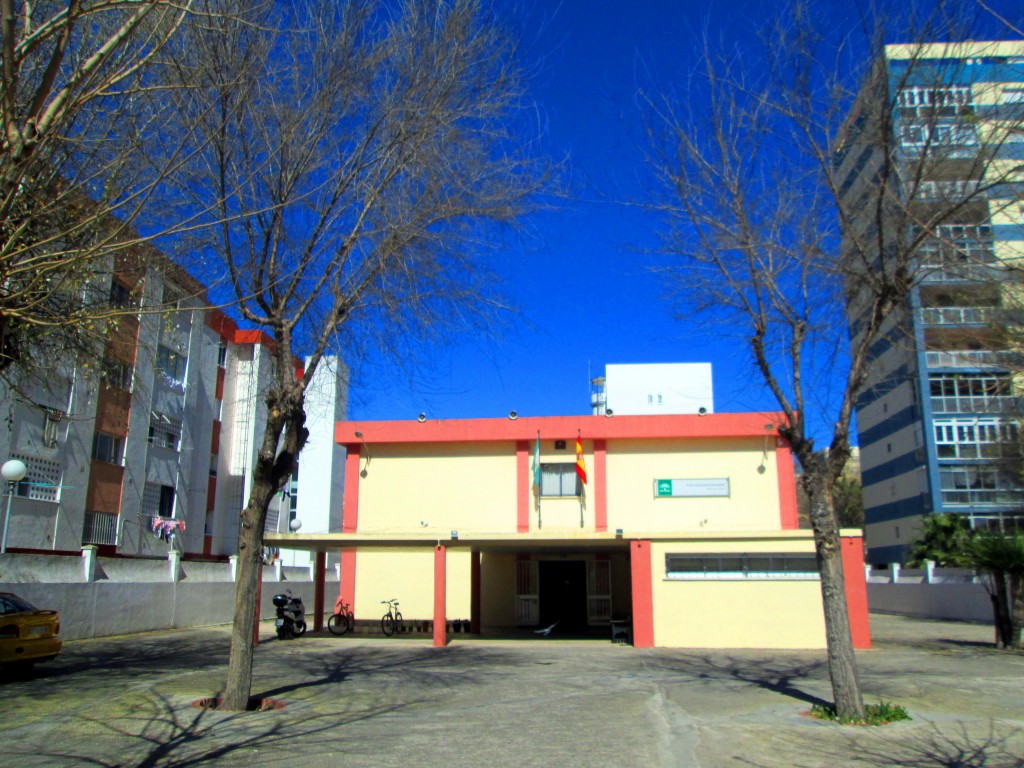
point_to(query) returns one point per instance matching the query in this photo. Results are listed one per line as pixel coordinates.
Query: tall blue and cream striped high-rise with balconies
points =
(938, 420)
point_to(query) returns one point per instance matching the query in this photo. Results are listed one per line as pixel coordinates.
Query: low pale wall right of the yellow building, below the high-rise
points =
(929, 593)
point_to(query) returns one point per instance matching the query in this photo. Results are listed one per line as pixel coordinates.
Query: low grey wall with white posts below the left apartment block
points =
(100, 598)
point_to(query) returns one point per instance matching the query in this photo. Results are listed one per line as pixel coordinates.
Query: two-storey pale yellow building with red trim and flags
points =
(672, 531)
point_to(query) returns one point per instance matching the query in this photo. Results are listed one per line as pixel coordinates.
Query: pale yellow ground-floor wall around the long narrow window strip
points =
(742, 614)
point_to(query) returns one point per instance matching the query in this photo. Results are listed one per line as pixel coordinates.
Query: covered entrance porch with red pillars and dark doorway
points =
(525, 586)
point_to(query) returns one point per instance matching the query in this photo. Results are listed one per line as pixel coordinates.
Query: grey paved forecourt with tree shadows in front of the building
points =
(356, 702)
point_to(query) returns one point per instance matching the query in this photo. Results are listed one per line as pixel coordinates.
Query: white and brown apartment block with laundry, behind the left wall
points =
(153, 449)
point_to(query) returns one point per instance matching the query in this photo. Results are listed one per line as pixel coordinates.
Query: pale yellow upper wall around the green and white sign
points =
(633, 467)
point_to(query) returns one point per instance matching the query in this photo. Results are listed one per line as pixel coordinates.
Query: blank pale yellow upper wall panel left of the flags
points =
(465, 488)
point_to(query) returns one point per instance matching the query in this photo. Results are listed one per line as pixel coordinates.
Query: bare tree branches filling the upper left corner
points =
(79, 95)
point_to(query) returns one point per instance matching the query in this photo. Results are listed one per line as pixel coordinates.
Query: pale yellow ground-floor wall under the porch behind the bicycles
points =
(409, 577)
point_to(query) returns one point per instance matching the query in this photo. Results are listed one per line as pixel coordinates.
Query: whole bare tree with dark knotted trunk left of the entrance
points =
(358, 160)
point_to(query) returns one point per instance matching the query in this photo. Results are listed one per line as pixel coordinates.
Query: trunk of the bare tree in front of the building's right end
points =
(842, 661)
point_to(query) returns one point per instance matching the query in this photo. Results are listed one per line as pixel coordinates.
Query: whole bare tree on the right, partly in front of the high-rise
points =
(795, 200)
